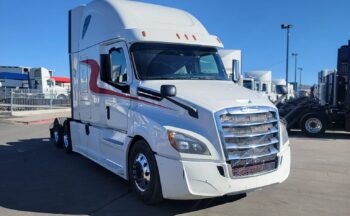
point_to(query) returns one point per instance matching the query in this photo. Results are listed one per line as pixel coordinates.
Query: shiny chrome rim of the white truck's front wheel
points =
(141, 172)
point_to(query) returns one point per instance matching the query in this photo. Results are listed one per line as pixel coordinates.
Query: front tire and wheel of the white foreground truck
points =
(143, 173)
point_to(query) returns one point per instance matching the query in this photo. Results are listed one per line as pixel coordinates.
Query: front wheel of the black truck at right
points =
(313, 125)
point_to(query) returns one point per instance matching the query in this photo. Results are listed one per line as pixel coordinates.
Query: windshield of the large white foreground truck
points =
(165, 61)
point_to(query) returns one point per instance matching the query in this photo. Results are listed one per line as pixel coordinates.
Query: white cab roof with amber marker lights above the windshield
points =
(104, 20)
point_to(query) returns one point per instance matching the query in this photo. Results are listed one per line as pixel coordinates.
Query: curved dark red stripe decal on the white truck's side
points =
(95, 70)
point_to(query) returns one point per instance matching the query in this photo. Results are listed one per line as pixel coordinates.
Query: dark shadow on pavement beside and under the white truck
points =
(35, 176)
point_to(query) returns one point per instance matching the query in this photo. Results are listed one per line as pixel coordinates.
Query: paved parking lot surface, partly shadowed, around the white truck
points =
(37, 178)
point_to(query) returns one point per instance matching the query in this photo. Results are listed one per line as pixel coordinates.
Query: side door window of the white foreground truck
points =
(118, 67)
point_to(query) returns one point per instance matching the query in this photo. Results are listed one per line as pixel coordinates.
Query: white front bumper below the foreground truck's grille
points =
(199, 179)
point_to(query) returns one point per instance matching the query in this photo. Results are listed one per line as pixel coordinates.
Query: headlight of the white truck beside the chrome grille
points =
(187, 144)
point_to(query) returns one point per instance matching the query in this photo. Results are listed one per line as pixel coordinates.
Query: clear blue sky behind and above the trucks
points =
(34, 32)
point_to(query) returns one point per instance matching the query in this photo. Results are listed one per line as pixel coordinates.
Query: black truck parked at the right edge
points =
(329, 106)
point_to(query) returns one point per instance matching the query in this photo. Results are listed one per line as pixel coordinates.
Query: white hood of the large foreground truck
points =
(213, 95)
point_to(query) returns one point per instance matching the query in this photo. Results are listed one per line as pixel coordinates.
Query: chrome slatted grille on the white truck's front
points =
(250, 136)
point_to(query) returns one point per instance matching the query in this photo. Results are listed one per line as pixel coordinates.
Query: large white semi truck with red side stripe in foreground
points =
(152, 103)
